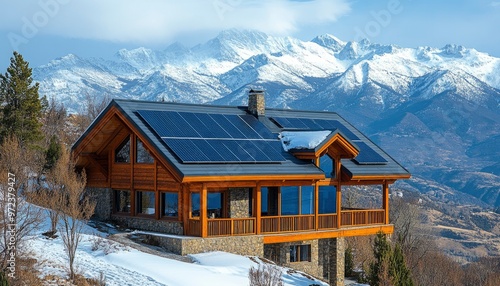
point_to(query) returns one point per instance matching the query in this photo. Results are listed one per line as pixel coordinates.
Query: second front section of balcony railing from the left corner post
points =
(274, 224)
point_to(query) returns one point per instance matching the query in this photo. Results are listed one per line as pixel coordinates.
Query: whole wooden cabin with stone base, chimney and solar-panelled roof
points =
(245, 179)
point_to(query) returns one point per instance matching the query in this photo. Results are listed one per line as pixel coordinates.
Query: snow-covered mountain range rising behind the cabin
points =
(435, 109)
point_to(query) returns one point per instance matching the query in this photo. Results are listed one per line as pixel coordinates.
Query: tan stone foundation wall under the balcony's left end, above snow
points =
(183, 245)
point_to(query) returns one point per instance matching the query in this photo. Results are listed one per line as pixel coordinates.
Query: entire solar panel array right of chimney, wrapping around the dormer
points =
(367, 156)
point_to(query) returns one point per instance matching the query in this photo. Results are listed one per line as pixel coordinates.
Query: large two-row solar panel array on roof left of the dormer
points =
(215, 138)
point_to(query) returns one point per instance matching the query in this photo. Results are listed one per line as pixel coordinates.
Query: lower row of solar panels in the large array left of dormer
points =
(224, 151)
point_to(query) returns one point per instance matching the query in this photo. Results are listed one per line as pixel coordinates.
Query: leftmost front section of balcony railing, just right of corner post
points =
(231, 226)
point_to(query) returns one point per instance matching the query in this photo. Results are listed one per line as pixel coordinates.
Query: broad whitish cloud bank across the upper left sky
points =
(158, 21)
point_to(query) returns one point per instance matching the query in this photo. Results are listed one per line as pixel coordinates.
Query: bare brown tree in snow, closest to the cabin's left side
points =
(75, 207)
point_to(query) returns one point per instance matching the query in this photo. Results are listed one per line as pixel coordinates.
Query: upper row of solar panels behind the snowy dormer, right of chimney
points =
(314, 124)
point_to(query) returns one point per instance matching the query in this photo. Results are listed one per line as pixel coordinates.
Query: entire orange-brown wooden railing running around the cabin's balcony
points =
(287, 224)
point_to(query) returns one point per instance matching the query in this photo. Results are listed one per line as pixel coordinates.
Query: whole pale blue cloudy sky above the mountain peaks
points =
(43, 30)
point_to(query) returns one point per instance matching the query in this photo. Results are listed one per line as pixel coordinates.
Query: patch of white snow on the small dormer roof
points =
(302, 139)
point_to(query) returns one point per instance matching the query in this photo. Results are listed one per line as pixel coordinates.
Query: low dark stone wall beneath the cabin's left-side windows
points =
(162, 226)
